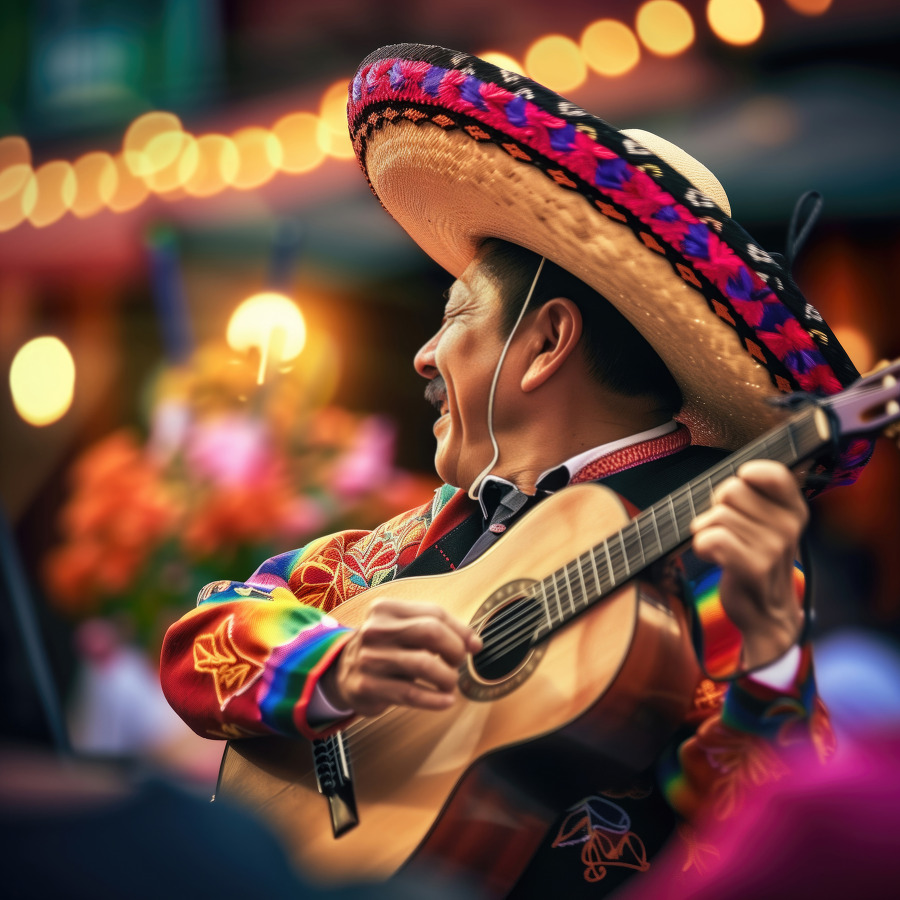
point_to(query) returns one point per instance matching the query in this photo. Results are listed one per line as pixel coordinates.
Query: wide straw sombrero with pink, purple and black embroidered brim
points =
(458, 150)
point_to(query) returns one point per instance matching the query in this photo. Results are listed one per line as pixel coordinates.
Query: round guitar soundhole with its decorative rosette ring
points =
(506, 621)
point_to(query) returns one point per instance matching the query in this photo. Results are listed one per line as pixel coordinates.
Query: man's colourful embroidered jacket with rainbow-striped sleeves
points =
(246, 660)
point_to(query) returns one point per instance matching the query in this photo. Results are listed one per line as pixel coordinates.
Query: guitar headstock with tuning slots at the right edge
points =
(870, 405)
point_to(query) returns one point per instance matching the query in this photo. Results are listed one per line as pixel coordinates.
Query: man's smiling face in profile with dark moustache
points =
(459, 362)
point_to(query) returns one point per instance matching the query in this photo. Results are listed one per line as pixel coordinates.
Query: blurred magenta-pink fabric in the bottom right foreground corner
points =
(832, 831)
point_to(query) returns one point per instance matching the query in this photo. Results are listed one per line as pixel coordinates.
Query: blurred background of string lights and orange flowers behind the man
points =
(207, 322)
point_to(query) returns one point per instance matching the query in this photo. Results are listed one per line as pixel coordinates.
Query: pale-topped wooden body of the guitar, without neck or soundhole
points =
(473, 789)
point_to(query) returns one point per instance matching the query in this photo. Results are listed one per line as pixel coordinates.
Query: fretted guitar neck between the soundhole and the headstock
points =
(664, 527)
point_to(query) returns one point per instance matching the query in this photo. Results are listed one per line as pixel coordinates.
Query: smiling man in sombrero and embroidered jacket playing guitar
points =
(599, 292)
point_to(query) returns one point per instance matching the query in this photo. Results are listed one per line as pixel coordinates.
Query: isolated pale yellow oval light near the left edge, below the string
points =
(42, 380)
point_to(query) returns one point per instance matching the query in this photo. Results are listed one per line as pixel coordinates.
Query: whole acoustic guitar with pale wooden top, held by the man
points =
(584, 675)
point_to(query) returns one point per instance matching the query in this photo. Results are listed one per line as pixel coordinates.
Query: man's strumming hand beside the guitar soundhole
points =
(404, 654)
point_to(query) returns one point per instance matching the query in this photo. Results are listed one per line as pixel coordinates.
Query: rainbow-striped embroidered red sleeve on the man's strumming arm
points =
(246, 660)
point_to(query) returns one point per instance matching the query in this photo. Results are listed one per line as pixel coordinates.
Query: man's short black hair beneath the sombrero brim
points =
(617, 354)
